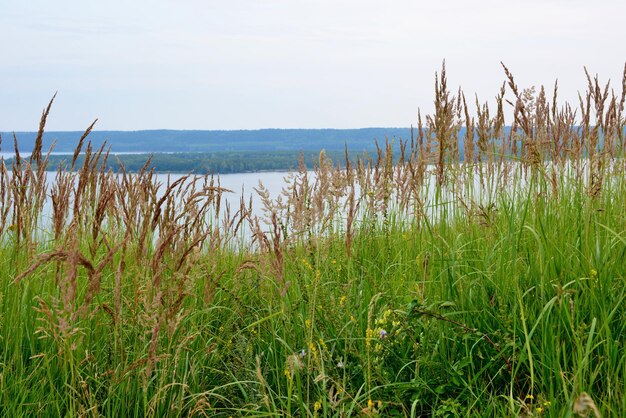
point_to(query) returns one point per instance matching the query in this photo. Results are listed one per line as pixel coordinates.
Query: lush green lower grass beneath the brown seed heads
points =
(401, 327)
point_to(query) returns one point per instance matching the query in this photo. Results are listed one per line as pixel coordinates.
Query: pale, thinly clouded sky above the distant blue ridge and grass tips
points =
(243, 64)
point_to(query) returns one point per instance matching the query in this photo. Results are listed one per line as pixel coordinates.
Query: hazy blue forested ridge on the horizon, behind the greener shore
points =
(214, 141)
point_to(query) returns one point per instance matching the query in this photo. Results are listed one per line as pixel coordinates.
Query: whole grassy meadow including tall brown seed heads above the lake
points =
(418, 282)
